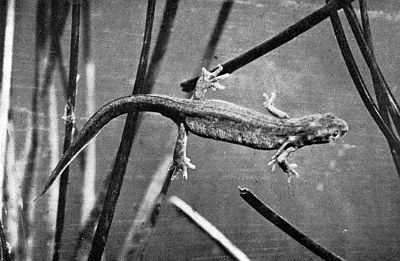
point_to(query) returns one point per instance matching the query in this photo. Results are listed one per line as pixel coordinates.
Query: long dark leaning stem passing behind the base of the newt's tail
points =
(118, 172)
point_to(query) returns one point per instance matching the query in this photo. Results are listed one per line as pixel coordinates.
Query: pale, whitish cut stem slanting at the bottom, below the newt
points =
(209, 229)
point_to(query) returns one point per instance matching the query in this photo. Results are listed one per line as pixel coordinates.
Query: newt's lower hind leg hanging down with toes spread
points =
(180, 162)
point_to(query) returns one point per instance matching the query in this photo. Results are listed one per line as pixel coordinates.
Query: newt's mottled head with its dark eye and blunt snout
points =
(324, 128)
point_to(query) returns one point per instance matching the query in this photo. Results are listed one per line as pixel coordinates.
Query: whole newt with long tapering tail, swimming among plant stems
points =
(218, 120)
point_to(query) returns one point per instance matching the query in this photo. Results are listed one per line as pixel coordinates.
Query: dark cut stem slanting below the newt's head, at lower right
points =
(286, 227)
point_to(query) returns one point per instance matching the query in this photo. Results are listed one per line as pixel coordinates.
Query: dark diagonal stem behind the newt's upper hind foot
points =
(283, 37)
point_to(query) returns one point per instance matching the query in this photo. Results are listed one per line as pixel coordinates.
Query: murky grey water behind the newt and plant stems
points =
(348, 195)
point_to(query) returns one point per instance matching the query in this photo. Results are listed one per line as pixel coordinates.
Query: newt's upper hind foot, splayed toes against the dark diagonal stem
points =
(208, 80)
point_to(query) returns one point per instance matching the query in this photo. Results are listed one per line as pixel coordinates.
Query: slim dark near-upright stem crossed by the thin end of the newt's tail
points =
(69, 124)
